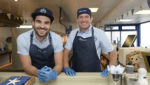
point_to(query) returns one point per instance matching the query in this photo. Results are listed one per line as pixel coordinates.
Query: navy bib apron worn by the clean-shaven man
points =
(85, 58)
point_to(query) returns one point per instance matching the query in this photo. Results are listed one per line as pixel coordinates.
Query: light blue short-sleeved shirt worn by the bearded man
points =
(23, 42)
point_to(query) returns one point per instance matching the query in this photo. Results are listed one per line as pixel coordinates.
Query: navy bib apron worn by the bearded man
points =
(42, 57)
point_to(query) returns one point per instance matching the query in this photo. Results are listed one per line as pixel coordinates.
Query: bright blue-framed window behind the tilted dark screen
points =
(118, 33)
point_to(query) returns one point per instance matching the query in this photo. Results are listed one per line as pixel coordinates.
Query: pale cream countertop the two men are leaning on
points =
(84, 78)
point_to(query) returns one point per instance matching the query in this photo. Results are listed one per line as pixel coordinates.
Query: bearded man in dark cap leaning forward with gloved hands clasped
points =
(40, 50)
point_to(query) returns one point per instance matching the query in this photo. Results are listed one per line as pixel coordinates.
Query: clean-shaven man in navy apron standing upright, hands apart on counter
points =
(86, 42)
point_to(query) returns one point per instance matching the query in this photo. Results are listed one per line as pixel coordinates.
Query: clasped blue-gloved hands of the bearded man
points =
(46, 73)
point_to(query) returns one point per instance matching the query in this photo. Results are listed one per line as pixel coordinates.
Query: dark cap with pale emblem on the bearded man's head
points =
(43, 12)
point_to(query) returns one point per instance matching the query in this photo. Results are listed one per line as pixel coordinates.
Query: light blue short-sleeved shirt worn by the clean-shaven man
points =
(101, 41)
